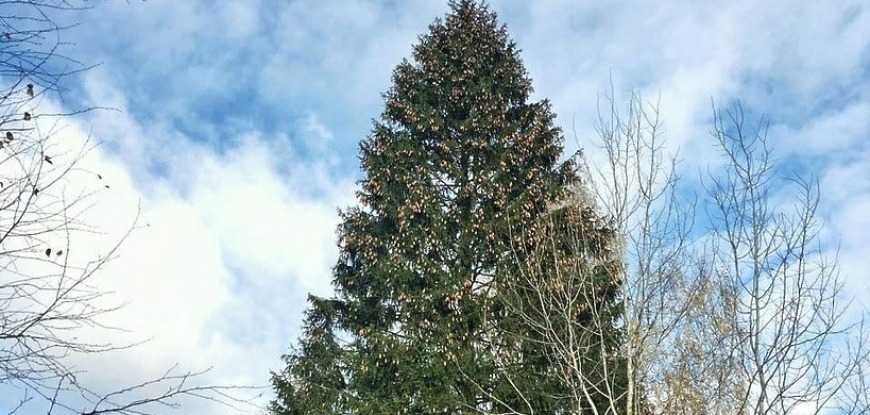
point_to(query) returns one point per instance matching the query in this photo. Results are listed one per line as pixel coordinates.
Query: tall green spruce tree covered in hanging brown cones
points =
(458, 156)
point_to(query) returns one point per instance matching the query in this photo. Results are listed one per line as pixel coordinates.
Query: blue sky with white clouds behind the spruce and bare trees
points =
(238, 126)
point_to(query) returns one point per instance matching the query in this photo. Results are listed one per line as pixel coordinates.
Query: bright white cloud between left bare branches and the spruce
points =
(228, 245)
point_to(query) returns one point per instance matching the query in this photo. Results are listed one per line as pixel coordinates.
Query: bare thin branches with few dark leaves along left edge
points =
(48, 286)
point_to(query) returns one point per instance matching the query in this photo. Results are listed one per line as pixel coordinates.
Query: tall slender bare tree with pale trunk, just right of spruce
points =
(636, 187)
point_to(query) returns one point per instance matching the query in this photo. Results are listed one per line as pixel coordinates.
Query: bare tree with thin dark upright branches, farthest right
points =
(781, 297)
